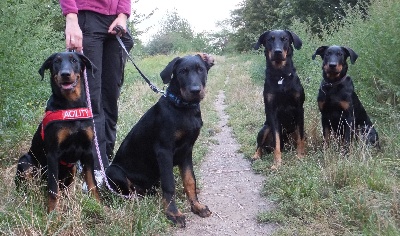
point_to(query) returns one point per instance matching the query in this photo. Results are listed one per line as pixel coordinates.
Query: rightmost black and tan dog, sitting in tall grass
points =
(341, 110)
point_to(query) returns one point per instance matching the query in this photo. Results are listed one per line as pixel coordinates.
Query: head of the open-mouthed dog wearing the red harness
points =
(66, 70)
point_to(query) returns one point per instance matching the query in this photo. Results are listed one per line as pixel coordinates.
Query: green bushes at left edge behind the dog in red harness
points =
(26, 41)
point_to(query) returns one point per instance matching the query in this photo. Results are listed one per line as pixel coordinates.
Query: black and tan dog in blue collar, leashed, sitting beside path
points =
(164, 137)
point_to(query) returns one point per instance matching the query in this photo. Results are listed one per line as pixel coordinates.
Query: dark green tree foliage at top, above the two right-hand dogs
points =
(255, 16)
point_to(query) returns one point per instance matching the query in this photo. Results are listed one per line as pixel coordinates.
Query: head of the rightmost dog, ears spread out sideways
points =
(334, 58)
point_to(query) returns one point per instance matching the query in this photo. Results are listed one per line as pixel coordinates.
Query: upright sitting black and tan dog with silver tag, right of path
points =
(283, 96)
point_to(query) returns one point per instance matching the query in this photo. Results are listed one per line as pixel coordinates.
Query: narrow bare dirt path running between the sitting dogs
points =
(229, 188)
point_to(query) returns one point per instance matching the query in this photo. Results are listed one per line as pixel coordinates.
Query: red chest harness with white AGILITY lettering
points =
(63, 115)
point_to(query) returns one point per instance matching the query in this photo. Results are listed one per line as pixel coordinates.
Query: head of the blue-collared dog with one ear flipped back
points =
(187, 76)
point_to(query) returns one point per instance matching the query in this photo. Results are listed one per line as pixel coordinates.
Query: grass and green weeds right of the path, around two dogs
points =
(327, 193)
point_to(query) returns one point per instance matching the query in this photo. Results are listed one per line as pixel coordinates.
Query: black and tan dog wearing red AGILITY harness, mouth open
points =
(65, 135)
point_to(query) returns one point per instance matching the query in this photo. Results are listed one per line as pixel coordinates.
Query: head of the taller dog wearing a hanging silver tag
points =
(278, 46)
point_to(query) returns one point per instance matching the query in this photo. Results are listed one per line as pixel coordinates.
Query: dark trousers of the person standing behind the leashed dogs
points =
(107, 55)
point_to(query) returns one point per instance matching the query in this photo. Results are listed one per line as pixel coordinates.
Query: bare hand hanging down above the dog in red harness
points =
(73, 33)
